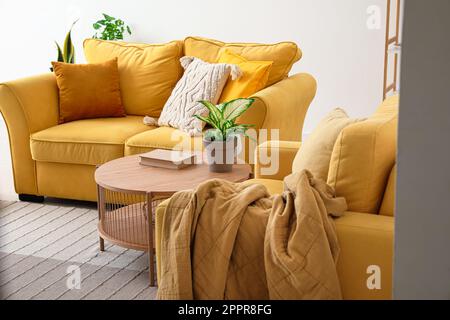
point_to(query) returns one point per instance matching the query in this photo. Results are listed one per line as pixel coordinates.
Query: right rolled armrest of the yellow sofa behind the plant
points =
(283, 106)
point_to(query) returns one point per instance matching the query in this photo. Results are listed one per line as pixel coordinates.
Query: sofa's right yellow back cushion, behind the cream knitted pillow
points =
(283, 54)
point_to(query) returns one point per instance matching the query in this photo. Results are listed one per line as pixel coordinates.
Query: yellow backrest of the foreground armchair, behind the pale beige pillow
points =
(363, 158)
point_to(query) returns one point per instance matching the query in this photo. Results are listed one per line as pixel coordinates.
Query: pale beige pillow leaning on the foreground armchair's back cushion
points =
(315, 153)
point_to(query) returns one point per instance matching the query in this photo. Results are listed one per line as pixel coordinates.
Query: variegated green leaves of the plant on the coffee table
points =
(222, 119)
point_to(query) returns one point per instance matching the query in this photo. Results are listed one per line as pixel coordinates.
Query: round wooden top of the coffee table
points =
(127, 175)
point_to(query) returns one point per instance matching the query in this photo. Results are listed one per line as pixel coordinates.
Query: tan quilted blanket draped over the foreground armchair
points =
(230, 241)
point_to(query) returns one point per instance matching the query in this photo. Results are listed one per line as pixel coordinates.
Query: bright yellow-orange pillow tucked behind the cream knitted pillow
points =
(254, 76)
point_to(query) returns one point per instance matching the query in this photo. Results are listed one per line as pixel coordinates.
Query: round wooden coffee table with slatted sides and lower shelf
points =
(128, 194)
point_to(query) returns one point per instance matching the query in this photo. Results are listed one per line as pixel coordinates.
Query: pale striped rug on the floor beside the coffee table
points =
(46, 248)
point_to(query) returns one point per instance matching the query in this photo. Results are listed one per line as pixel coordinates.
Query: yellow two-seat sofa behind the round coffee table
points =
(59, 160)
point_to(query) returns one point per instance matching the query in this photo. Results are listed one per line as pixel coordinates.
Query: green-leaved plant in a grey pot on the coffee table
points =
(221, 141)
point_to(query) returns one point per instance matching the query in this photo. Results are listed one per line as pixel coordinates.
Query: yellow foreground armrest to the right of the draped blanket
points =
(366, 240)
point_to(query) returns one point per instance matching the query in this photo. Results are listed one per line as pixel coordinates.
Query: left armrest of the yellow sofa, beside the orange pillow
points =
(27, 105)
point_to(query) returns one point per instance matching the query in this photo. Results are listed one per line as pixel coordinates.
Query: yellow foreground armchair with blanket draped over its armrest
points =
(363, 170)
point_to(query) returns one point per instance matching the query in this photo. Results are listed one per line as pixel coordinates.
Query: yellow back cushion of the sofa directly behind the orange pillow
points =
(148, 72)
